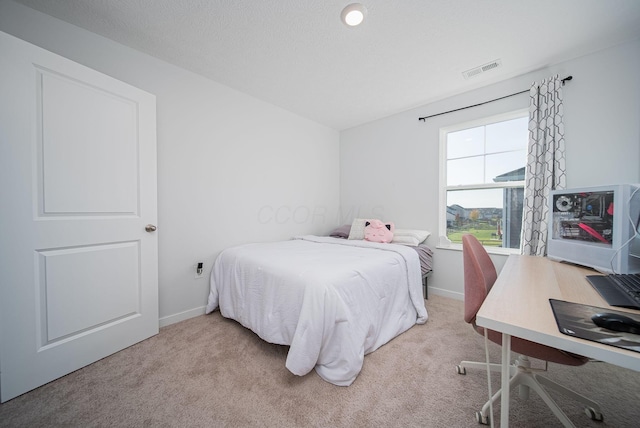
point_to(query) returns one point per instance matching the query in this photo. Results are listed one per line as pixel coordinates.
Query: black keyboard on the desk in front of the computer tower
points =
(622, 290)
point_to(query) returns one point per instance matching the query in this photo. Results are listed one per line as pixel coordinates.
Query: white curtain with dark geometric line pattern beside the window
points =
(545, 162)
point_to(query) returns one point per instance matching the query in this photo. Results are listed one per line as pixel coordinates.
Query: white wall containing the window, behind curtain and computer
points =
(389, 168)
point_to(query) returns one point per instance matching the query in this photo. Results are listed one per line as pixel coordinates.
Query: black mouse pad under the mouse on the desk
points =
(574, 319)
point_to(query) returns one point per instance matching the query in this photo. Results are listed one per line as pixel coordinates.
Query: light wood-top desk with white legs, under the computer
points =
(518, 305)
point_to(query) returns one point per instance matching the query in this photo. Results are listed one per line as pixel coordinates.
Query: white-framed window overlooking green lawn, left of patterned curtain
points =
(482, 180)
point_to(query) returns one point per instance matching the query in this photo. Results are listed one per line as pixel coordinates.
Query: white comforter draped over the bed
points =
(332, 300)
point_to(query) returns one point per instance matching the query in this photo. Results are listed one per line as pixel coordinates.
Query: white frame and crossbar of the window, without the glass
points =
(443, 241)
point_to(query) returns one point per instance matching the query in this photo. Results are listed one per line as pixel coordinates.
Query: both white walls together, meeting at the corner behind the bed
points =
(233, 169)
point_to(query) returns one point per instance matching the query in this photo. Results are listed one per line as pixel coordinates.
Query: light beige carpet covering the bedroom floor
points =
(211, 372)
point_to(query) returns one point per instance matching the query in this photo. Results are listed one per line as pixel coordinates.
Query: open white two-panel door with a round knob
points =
(78, 269)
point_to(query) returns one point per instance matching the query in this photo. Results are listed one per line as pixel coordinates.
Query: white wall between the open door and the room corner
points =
(231, 169)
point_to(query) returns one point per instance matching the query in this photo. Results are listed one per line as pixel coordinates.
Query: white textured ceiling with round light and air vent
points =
(298, 55)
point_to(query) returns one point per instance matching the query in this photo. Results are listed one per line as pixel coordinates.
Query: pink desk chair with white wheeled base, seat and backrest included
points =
(479, 276)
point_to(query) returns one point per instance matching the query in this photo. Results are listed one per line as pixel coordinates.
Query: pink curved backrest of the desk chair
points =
(479, 275)
